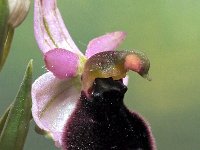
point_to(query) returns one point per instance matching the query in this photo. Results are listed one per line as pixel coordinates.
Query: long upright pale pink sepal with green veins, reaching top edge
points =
(49, 28)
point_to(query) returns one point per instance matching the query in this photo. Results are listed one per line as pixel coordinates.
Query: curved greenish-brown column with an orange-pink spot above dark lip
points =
(113, 64)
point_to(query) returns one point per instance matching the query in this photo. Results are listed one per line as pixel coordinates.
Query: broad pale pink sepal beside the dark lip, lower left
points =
(53, 101)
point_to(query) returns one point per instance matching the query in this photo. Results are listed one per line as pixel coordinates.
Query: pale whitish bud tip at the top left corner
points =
(18, 9)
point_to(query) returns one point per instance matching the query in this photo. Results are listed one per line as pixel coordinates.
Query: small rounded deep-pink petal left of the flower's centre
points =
(62, 63)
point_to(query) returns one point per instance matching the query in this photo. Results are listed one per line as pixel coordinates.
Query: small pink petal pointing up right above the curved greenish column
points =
(107, 42)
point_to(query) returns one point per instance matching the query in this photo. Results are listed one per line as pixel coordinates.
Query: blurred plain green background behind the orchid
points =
(167, 31)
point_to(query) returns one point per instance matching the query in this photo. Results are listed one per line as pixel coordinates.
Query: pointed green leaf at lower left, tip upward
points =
(16, 126)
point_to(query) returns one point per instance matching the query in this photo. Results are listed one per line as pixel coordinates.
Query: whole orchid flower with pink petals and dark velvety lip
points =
(73, 80)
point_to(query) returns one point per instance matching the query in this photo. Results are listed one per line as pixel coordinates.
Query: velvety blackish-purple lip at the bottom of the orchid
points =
(102, 122)
